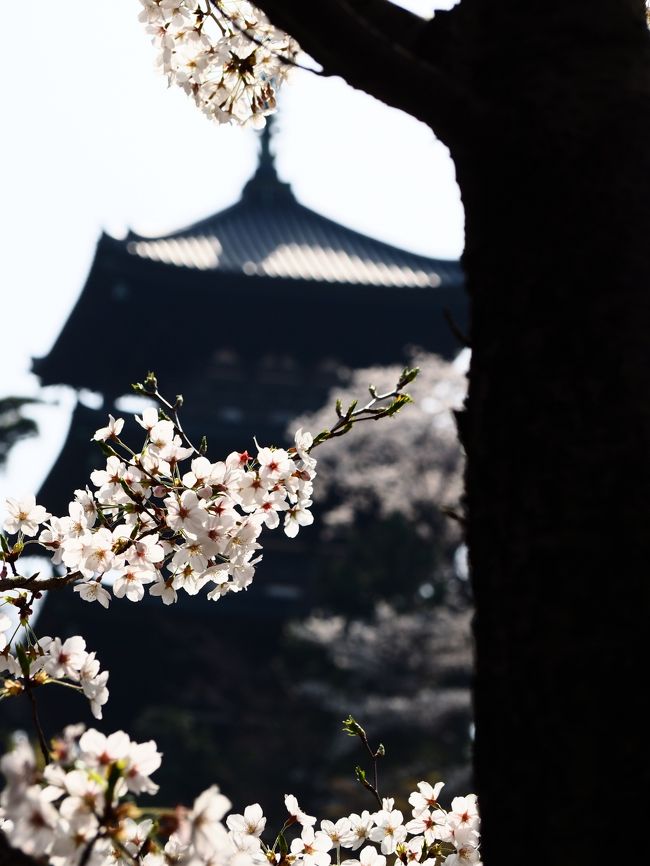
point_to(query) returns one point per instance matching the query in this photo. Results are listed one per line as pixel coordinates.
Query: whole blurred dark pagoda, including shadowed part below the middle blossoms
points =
(251, 314)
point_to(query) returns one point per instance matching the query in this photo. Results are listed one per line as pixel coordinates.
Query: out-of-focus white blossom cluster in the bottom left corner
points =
(79, 801)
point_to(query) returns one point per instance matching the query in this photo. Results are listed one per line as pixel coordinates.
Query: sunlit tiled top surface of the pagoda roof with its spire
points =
(268, 233)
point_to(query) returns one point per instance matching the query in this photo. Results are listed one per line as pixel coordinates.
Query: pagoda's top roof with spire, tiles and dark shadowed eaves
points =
(265, 252)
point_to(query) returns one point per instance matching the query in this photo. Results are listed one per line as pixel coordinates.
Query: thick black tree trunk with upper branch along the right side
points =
(553, 160)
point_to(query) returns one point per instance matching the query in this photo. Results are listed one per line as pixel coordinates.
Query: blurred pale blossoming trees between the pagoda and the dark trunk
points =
(392, 605)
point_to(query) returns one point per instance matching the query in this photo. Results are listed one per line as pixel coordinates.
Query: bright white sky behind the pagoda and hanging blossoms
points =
(93, 140)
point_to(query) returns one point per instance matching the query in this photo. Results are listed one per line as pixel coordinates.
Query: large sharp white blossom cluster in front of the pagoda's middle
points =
(152, 522)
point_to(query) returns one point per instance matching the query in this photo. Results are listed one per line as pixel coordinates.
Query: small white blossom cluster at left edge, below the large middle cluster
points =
(52, 660)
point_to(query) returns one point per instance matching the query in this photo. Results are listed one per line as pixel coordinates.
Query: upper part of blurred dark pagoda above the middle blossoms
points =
(250, 314)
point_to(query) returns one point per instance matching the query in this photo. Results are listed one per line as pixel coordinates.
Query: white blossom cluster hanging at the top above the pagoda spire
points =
(223, 53)
